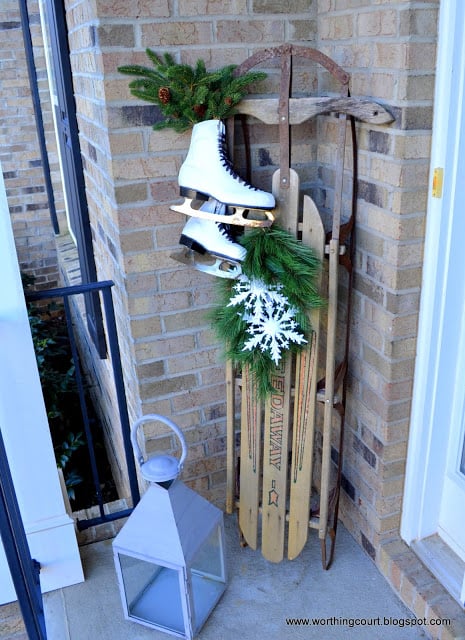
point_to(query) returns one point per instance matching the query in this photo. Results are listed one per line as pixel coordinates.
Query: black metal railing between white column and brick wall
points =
(65, 293)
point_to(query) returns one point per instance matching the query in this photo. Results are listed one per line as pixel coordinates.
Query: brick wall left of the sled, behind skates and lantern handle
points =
(170, 356)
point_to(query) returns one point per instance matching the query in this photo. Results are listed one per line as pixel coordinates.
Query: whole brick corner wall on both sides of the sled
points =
(169, 353)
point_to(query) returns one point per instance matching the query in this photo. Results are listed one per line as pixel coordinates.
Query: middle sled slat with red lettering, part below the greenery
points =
(275, 464)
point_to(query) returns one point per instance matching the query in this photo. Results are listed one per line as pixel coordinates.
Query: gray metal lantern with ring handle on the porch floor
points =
(169, 556)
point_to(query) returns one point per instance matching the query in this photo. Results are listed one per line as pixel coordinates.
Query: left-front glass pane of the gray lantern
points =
(152, 593)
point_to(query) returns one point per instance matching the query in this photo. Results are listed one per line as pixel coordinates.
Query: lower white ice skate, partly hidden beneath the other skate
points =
(213, 238)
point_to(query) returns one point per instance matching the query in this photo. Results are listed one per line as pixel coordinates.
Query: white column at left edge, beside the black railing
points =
(25, 430)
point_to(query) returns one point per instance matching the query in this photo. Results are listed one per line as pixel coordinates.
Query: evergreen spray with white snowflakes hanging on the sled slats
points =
(289, 269)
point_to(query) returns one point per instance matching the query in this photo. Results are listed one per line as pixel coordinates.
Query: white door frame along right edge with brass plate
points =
(435, 395)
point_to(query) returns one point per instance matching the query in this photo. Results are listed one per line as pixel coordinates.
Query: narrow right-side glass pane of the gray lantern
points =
(208, 577)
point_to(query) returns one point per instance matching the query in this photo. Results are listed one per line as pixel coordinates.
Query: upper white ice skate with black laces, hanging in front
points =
(207, 172)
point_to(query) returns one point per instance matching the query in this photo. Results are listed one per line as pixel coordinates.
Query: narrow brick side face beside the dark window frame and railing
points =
(95, 152)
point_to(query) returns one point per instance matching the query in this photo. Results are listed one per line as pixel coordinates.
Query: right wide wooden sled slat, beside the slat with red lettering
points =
(313, 235)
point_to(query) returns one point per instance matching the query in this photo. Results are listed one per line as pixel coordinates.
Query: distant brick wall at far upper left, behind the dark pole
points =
(19, 150)
